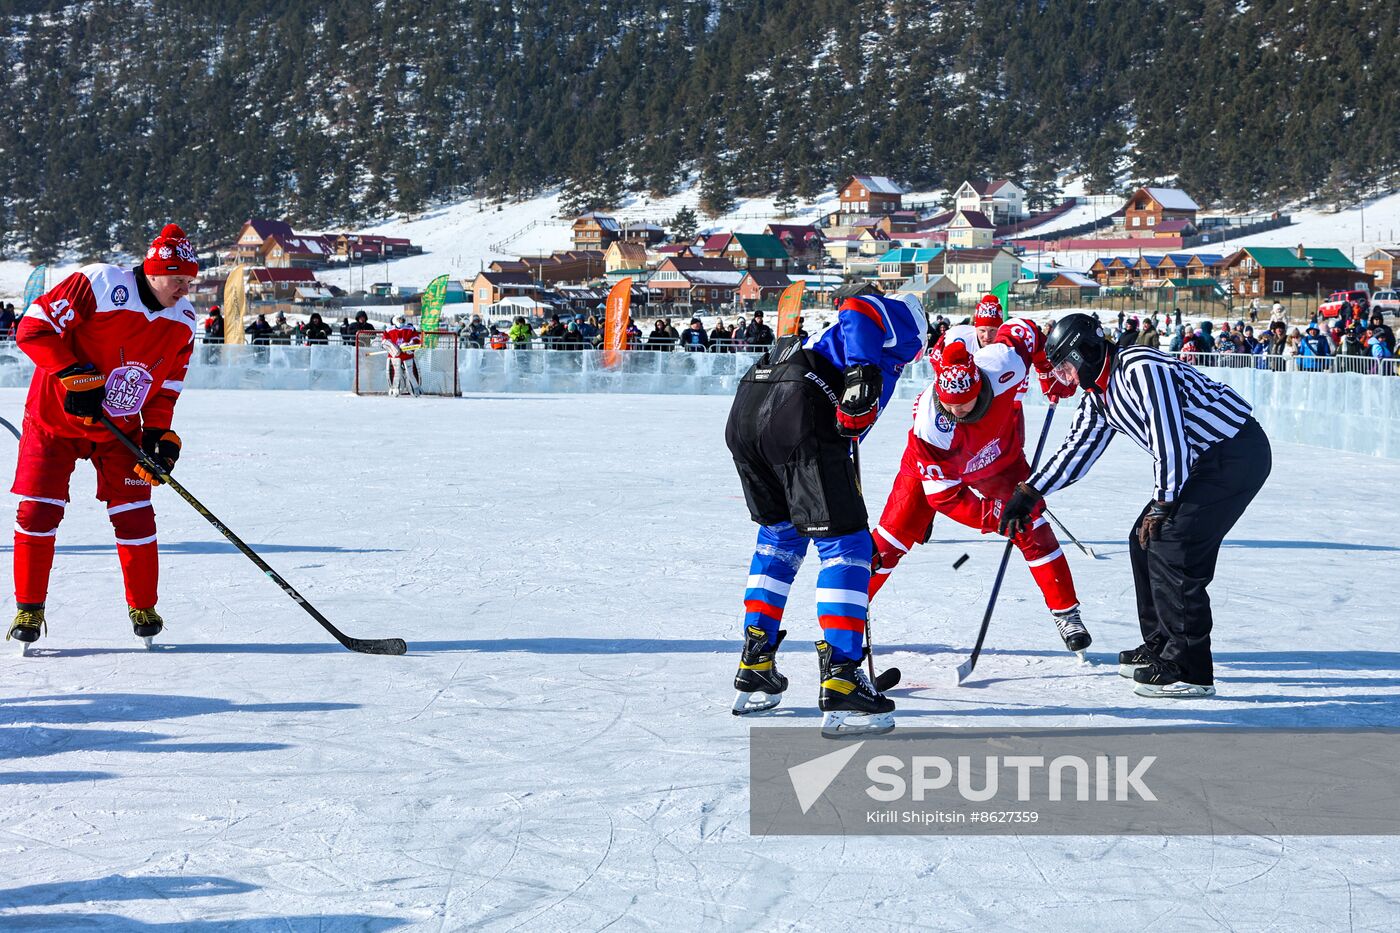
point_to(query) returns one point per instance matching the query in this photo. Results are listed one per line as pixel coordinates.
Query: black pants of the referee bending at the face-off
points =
(1172, 572)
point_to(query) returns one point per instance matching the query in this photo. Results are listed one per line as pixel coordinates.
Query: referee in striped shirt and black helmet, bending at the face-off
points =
(1212, 460)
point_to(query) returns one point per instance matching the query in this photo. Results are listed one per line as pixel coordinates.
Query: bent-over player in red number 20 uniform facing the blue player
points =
(965, 457)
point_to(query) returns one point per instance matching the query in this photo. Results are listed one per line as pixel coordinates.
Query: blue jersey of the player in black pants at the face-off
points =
(876, 330)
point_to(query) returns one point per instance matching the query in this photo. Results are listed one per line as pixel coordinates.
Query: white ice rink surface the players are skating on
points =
(556, 753)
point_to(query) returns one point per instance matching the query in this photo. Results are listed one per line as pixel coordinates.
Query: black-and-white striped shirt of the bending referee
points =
(1167, 407)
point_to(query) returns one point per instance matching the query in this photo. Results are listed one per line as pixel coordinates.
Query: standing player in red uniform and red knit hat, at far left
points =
(103, 341)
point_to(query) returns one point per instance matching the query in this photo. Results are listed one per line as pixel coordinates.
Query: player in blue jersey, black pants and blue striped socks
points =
(790, 431)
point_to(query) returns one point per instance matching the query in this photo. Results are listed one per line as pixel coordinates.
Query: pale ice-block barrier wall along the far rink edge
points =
(1343, 411)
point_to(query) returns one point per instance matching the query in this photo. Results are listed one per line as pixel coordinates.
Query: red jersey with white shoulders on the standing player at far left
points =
(99, 316)
